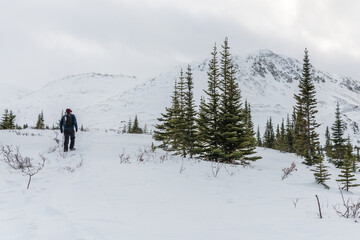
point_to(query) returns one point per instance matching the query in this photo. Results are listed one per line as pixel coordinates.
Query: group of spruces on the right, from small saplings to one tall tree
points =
(298, 135)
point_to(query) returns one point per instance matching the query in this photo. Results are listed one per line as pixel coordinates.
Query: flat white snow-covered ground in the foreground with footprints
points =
(88, 194)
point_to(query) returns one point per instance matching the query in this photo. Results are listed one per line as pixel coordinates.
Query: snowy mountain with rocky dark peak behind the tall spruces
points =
(268, 81)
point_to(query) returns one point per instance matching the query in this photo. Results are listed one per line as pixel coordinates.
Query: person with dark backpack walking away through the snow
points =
(67, 124)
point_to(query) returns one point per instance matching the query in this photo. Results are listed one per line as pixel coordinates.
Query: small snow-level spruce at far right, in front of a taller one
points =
(347, 178)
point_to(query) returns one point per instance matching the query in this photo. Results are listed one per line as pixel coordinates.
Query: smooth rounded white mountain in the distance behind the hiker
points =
(78, 92)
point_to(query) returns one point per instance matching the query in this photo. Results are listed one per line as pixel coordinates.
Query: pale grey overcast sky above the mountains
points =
(44, 40)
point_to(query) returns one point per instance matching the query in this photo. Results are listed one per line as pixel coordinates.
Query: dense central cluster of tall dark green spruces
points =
(221, 130)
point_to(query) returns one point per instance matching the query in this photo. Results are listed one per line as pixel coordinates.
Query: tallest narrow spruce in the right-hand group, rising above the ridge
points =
(306, 138)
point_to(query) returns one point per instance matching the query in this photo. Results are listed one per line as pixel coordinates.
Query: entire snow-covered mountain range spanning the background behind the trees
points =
(267, 80)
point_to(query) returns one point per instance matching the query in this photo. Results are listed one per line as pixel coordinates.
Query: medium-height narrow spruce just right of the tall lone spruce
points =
(337, 139)
